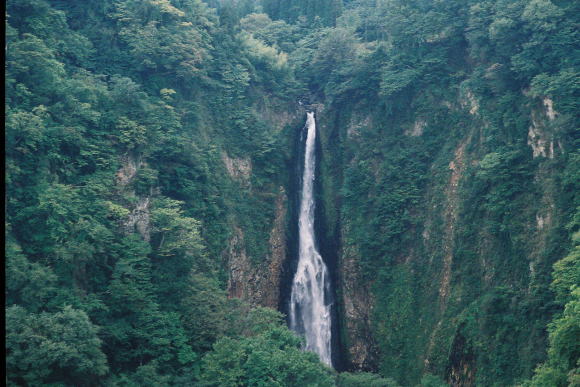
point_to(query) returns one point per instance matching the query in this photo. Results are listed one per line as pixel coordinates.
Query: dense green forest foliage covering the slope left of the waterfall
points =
(117, 208)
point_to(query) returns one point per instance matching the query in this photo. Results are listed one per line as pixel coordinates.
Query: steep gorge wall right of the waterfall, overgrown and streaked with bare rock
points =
(461, 290)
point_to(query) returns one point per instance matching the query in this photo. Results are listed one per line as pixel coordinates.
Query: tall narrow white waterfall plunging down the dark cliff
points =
(309, 301)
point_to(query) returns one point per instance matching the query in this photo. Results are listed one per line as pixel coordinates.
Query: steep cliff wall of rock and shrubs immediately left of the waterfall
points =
(261, 278)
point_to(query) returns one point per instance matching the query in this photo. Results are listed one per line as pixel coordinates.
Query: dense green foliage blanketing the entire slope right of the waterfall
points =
(452, 200)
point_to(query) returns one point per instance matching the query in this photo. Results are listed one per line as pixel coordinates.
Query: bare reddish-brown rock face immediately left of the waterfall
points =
(258, 284)
